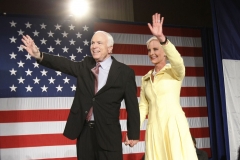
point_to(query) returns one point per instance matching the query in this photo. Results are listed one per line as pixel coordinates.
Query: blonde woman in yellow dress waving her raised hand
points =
(167, 133)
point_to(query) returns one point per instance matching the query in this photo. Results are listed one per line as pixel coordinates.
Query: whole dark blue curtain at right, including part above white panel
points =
(225, 15)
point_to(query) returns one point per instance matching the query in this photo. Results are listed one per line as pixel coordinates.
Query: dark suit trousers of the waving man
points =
(88, 148)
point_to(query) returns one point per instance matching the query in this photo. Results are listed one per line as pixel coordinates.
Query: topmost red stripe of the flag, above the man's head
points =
(143, 29)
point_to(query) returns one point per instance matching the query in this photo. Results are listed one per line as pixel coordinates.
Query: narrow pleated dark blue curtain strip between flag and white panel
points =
(215, 94)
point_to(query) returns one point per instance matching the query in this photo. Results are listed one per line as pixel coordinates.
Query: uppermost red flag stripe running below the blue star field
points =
(61, 115)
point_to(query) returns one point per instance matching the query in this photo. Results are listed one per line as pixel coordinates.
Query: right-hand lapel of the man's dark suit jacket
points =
(112, 75)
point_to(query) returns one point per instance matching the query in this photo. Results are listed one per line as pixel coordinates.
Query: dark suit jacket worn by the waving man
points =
(106, 102)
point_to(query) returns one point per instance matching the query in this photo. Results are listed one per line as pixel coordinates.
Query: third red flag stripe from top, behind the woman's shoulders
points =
(190, 71)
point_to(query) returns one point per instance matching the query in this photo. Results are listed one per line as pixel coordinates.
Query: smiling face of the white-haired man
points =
(99, 49)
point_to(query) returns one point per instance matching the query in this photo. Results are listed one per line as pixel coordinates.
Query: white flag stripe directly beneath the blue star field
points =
(58, 103)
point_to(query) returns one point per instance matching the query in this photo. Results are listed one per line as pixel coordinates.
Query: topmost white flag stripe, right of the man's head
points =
(140, 39)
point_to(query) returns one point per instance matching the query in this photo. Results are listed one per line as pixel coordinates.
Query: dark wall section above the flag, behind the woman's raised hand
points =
(176, 12)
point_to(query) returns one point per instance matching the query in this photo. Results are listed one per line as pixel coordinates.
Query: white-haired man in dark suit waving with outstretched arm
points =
(94, 115)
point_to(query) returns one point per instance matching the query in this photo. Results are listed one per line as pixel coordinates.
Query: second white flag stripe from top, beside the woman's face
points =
(143, 60)
